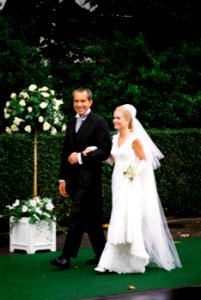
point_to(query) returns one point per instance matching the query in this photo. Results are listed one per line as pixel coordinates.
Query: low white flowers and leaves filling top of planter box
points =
(39, 209)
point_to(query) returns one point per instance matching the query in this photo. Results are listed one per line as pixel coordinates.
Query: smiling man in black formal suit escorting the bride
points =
(80, 177)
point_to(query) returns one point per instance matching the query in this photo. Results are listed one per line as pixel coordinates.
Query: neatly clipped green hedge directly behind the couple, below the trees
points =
(178, 179)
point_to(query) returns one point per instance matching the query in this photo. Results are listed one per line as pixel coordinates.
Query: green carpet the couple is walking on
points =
(31, 277)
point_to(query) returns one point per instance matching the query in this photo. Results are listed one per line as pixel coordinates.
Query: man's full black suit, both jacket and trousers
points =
(84, 182)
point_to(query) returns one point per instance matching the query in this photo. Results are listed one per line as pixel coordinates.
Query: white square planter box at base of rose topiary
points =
(33, 237)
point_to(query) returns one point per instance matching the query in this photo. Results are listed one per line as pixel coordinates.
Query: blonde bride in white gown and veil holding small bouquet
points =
(138, 234)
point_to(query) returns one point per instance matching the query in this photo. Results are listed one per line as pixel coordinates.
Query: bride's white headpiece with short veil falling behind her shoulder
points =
(152, 152)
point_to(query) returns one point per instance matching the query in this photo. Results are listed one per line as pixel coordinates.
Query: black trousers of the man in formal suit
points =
(86, 213)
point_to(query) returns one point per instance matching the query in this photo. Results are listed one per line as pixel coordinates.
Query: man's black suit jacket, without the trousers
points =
(93, 132)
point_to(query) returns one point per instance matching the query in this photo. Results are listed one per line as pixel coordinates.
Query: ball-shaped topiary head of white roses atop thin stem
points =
(34, 108)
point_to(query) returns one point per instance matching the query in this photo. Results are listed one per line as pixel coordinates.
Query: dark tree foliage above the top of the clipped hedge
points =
(146, 53)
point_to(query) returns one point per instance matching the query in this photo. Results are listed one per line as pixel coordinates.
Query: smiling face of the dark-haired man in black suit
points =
(81, 103)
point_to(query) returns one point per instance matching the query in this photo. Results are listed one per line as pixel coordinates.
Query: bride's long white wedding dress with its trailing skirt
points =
(138, 235)
